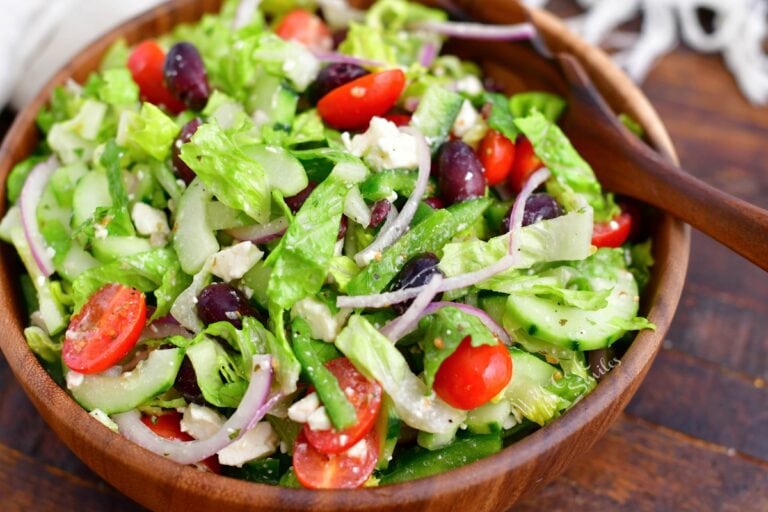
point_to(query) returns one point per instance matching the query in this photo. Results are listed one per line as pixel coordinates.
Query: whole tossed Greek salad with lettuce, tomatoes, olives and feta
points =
(302, 245)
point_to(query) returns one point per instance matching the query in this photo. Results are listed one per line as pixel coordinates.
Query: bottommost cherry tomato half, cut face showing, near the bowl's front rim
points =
(317, 470)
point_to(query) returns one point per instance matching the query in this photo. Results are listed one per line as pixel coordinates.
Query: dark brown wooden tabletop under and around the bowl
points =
(696, 435)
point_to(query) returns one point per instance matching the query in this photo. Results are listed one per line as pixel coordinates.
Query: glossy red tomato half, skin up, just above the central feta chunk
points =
(351, 106)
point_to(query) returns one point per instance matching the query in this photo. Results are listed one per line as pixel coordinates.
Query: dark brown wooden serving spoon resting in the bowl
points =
(626, 165)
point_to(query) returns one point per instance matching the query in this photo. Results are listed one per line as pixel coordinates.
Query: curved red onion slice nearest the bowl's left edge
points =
(31, 192)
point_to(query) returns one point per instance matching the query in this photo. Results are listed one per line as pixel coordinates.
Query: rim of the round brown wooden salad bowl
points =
(82, 434)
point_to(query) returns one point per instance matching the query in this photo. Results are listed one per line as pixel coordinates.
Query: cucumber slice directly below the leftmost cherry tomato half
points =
(114, 394)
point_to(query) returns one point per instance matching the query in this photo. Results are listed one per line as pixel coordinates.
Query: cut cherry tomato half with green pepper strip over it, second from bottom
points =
(365, 397)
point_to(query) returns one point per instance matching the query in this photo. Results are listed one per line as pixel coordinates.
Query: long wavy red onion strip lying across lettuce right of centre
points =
(381, 300)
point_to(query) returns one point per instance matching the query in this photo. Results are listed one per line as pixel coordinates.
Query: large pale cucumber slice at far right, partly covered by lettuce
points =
(574, 328)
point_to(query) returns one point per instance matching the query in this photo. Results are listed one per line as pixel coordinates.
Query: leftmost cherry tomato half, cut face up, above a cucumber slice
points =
(105, 329)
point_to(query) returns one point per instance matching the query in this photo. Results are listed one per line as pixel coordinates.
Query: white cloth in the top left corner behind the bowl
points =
(38, 36)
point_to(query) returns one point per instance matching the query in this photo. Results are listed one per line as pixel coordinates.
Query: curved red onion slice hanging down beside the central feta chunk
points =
(388, 235)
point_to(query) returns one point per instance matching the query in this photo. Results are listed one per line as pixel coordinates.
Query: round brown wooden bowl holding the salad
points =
(494, 483)
